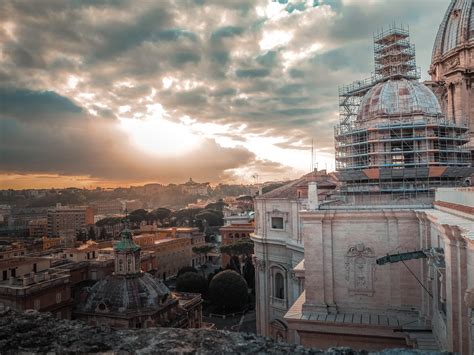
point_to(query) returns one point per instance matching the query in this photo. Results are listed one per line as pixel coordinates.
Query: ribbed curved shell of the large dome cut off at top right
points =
(456, 29)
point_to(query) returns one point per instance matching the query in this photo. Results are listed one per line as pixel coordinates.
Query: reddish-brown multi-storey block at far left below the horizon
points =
(66, 218)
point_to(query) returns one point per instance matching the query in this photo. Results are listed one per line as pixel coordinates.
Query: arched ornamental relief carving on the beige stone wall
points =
(360, 269)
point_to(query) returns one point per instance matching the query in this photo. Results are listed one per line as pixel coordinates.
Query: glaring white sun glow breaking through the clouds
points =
(157, 135)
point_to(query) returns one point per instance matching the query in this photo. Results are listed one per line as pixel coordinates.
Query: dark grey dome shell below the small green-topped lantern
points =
(122, 294)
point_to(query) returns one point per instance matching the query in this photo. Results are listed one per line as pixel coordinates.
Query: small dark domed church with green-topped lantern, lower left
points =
(131, 298)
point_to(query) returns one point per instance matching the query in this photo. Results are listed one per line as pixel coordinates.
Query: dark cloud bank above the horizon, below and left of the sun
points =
(92, 146)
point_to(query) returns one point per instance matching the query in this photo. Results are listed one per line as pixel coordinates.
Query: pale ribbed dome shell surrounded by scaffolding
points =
(398, 97)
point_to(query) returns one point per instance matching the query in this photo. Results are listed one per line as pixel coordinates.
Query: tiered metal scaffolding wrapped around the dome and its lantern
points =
(396, 149)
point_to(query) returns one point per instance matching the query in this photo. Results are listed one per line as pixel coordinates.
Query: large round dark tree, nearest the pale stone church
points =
(228, 291)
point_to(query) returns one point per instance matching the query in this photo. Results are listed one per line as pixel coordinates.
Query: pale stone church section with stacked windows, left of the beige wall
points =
(279, 248)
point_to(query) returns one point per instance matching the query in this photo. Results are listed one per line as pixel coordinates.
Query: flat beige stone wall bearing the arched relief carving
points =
(338, 278)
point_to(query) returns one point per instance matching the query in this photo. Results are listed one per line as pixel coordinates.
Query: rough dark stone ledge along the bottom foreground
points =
(41, 333)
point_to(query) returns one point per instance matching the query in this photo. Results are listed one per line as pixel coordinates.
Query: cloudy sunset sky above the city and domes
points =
(118, 93)
